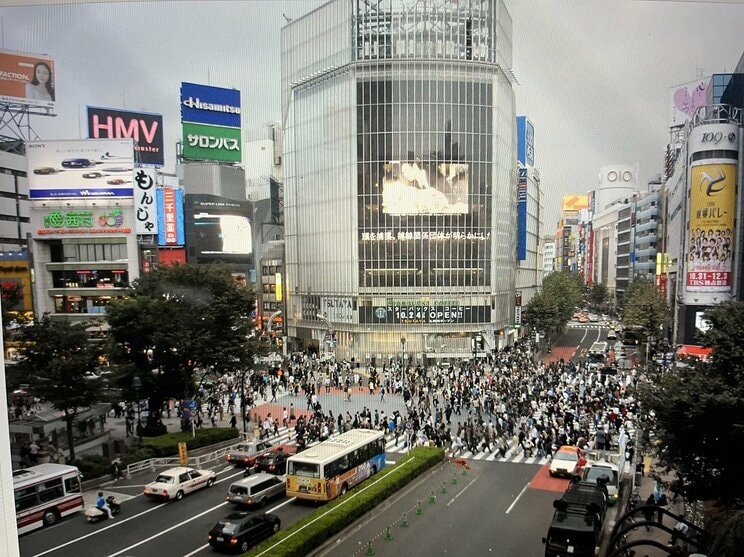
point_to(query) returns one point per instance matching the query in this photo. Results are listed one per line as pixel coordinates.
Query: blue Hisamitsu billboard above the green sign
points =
(214, 106)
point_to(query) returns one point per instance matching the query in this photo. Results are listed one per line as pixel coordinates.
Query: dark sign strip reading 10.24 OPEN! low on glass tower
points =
(426, 313)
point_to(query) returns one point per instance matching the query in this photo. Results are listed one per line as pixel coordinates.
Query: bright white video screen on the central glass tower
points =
(416, 188)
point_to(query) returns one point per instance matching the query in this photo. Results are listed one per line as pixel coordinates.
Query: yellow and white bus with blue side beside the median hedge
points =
(331, 468)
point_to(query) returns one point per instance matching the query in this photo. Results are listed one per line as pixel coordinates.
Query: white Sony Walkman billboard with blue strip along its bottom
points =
(83, 168)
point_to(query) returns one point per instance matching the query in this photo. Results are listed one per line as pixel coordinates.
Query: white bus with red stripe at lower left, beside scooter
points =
(45, 493)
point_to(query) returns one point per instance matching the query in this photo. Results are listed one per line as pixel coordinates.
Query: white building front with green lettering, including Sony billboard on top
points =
(84, 232)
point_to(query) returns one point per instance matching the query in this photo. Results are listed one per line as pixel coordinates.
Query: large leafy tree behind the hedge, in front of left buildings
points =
(175, 322)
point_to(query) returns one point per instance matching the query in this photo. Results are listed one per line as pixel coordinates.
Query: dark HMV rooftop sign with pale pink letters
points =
(144, 128)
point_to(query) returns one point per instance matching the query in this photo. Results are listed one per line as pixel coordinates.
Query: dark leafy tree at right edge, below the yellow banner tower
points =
(699, 412)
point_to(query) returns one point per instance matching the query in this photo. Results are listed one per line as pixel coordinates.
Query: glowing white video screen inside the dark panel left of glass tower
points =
(224, 234)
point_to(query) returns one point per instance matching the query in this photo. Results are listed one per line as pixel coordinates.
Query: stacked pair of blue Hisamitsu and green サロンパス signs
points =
(211, 123)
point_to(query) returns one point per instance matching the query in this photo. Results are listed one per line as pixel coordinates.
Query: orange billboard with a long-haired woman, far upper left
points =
(27, 79)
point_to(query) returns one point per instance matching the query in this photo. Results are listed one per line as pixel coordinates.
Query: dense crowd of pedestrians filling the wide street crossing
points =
(510, 403)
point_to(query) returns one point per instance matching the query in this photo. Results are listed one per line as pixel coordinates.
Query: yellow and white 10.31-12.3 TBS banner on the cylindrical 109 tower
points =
(712, 212)
